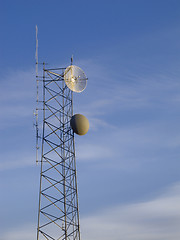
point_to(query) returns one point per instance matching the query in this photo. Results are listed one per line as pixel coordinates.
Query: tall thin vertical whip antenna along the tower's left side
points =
(37, 100)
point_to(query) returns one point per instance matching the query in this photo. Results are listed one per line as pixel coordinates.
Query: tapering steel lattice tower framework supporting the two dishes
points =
(58, 215)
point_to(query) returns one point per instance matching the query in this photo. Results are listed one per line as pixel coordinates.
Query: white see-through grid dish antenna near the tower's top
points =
(75, 78)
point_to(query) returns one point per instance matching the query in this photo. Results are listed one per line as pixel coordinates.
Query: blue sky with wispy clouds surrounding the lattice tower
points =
(128, 163)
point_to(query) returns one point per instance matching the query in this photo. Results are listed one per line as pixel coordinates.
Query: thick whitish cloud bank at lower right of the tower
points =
(157, 219)
